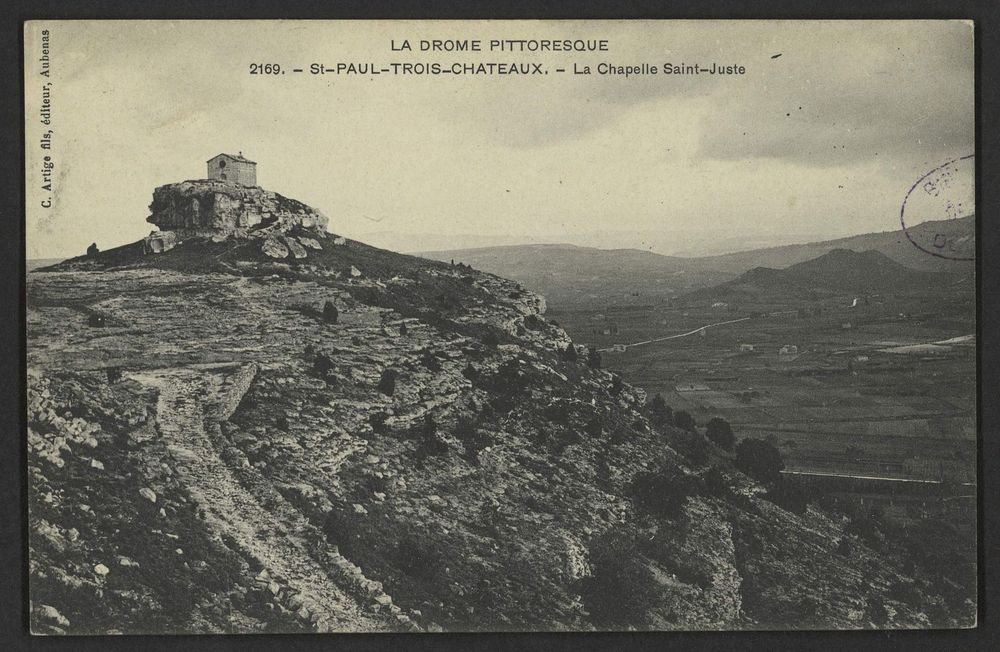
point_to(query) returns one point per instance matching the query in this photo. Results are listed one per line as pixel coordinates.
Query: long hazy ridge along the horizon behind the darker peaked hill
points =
(568, 273)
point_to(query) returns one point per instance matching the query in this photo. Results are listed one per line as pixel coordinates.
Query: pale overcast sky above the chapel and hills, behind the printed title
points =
(822, 141)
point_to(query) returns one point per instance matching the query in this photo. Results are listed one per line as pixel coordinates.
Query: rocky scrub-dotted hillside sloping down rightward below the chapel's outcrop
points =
(217, 452)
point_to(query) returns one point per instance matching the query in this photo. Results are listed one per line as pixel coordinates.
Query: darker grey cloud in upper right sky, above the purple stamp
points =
(902, 92)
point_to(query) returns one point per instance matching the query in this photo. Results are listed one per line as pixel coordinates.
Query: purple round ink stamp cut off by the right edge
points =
(934, 203)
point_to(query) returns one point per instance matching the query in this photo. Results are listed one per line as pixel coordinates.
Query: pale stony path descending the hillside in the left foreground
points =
(272, 537)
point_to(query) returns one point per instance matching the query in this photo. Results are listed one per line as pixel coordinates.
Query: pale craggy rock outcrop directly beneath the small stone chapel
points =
(209, 208)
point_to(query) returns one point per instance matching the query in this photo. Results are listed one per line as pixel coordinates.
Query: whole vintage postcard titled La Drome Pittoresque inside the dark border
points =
(363, 326)
